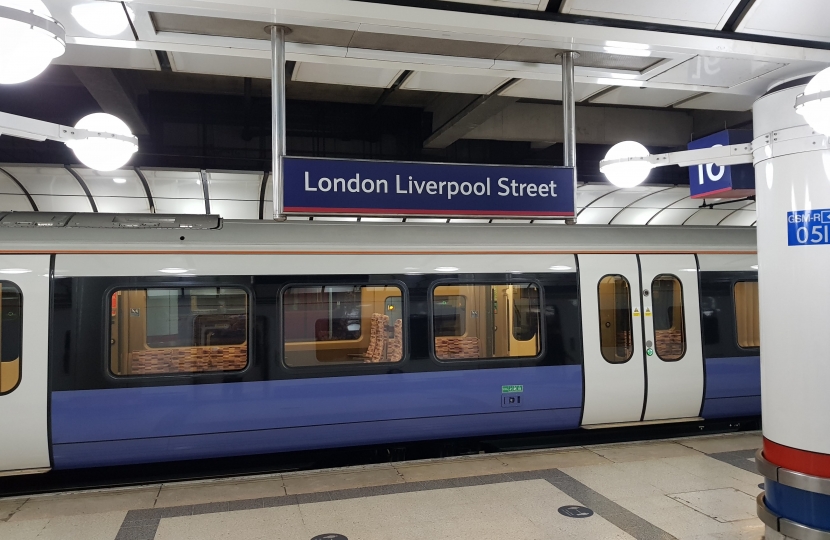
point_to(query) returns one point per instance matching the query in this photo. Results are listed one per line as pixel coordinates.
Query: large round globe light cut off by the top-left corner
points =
(29, 40)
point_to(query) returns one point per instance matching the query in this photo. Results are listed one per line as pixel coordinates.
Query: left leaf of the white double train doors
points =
(613, 339)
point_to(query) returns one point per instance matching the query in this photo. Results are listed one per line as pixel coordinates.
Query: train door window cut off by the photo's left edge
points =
(11, 336)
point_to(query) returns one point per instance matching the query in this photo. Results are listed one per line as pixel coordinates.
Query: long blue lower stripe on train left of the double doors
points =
(139, 425)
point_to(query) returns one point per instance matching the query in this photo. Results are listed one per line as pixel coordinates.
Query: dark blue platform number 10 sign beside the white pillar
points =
(724, 182)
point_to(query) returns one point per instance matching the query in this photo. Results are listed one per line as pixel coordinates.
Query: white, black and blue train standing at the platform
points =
(134, 339)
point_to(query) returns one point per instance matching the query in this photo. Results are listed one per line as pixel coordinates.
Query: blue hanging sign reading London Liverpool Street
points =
(388, 188)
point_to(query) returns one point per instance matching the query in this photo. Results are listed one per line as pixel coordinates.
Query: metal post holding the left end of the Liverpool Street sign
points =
(277, 113)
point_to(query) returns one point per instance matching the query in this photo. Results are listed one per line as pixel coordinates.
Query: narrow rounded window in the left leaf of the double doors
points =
(616, 341)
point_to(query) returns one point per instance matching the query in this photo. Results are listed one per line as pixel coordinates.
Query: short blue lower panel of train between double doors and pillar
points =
(733, 387)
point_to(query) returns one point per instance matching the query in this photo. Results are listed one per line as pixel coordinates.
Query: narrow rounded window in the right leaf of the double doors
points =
(668, 319)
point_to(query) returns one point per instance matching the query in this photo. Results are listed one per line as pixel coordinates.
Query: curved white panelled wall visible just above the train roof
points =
(248, 195)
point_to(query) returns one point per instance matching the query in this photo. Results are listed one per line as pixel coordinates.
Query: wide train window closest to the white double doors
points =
(486, 321)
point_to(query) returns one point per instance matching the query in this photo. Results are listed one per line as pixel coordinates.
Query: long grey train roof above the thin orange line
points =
(153, 233)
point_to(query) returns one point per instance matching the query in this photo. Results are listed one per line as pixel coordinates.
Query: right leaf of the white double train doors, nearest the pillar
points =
(674, 354)
